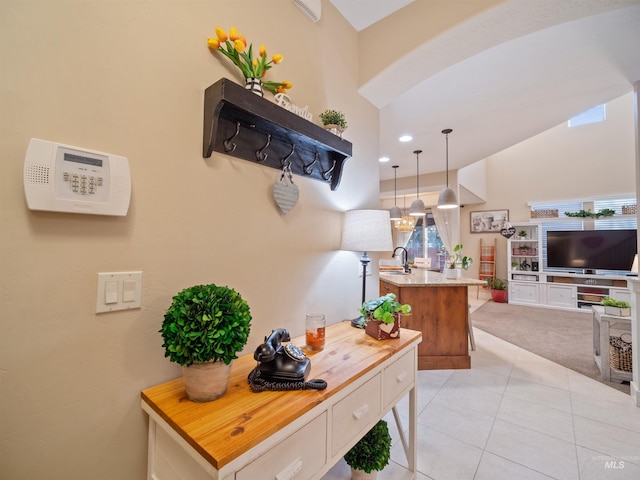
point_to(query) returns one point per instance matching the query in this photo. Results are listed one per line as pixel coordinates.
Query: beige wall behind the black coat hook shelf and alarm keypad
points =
(128, 77)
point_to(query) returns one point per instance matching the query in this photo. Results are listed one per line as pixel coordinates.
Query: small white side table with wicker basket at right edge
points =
(602, 324)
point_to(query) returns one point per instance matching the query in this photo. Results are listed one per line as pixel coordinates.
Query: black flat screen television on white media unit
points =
(591, 249)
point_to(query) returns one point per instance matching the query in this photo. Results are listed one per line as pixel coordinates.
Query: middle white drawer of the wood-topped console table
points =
(352, 414)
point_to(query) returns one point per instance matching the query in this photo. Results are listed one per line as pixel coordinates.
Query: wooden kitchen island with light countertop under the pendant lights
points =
(440, 310)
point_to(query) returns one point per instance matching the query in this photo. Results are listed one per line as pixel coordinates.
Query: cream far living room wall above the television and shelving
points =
(562, 163)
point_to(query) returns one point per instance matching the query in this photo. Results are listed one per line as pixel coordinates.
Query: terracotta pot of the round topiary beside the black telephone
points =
(205, 382)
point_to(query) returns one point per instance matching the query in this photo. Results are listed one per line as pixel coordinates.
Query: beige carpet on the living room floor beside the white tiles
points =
(563, 337)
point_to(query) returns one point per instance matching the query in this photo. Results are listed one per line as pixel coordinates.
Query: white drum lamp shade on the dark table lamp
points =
(367, 231)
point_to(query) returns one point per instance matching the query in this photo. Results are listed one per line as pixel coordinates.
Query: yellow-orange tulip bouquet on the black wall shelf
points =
(235, 48)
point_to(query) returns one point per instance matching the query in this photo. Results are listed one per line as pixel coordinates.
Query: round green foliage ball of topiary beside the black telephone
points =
(205, 323)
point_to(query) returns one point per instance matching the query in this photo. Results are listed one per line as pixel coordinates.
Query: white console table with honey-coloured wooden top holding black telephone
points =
(285, 435)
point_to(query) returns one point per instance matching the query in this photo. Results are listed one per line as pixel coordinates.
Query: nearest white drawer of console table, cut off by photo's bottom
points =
(298, 457)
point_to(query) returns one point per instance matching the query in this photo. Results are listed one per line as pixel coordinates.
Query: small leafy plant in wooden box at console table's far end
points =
(382, 316)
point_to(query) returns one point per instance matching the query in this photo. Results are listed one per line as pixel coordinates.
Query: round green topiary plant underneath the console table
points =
(371, 453)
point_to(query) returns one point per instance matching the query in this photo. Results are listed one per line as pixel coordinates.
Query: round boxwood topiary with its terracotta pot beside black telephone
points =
(203, 330)
